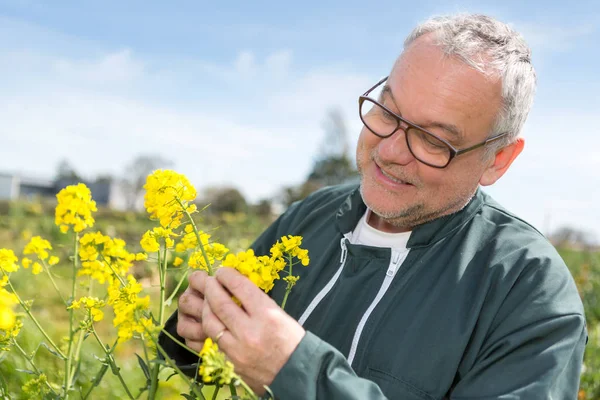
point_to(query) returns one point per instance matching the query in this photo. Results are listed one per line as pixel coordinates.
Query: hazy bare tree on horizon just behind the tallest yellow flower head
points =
(135, 176)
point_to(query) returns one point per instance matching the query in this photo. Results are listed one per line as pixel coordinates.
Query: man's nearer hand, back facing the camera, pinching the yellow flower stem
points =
(259, 337)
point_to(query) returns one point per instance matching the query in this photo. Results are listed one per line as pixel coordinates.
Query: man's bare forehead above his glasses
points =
(430, 86)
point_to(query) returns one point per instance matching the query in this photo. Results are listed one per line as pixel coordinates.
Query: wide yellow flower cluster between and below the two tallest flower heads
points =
(102, 256)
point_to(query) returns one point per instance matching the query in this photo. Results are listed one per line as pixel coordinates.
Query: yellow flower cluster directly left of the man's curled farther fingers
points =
(128, 308)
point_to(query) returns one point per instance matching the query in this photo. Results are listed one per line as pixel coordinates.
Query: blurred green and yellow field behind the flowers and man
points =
(19, 221)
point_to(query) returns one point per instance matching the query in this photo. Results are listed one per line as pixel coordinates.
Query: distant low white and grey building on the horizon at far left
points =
(106, 193)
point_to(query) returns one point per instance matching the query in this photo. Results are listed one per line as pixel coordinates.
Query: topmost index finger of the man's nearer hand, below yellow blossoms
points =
(253, 299)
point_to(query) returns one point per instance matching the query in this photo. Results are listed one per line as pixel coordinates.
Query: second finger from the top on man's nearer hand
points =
(220, 303)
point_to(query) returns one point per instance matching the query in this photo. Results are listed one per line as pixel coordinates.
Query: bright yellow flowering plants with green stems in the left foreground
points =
(102, 281)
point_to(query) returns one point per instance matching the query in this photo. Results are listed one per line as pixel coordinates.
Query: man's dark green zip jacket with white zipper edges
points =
(480, 306)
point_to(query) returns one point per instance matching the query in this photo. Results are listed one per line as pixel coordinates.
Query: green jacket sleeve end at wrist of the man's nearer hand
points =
(316, 370)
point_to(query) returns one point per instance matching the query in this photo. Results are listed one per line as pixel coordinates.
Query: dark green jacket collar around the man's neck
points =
(353, 208)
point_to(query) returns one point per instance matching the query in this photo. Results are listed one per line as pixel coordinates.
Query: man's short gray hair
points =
(492, 48)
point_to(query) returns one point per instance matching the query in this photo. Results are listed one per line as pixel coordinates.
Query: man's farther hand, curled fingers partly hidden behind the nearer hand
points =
(189, 311)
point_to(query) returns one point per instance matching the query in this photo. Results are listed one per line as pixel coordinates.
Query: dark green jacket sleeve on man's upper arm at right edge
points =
(534, 349)
